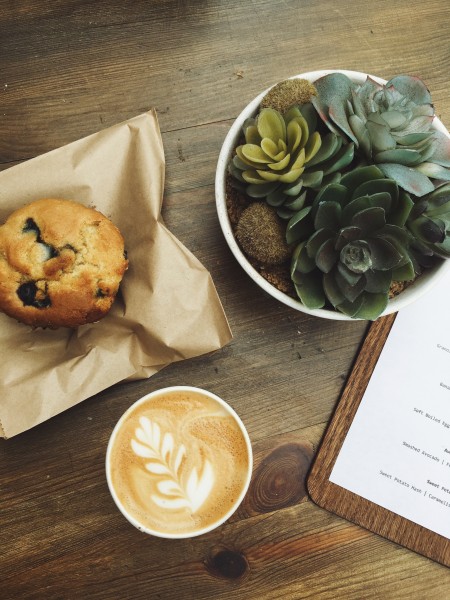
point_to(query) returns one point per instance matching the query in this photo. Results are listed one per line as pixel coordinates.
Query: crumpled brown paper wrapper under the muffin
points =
(167, 308)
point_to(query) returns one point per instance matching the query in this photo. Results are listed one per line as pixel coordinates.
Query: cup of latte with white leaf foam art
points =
(178, 462)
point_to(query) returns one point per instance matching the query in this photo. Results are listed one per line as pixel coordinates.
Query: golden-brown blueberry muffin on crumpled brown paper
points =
(61, 264)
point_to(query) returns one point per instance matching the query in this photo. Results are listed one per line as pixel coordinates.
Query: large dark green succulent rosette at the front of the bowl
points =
(352, 243)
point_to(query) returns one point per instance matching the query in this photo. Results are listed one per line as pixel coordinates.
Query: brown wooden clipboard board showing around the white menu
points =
(346, 504)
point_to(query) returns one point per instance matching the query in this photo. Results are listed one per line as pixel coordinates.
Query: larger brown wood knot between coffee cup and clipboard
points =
(279, 481)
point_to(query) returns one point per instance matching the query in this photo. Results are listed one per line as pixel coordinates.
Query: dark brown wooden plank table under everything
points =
(69, 68)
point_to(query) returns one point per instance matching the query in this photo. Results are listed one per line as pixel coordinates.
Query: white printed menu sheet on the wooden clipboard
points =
(397, 451)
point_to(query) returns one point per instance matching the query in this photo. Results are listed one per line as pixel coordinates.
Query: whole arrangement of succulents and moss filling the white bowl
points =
(346, 184)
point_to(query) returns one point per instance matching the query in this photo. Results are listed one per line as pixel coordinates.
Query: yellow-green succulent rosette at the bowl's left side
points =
(284, 154)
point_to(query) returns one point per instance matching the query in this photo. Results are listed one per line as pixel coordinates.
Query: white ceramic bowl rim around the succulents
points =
(413, 292)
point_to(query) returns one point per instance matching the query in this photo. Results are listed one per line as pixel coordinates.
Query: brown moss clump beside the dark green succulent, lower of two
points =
(261, 234)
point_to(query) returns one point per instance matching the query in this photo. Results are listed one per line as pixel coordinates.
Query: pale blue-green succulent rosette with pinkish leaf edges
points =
(391, 125)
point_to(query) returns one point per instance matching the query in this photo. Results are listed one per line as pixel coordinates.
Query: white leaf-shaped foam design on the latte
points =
(176, 488)
